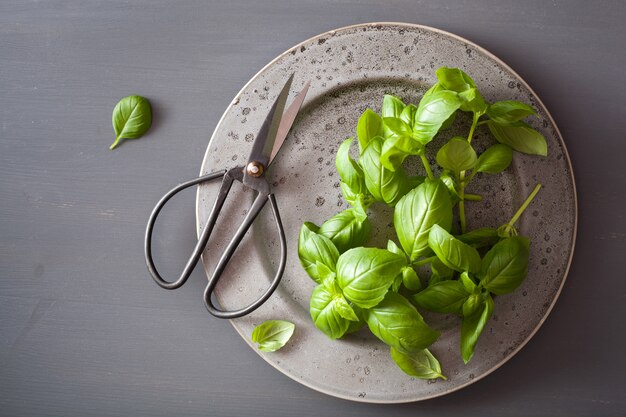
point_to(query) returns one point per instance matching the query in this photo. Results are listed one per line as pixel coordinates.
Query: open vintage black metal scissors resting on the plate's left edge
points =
(252, 175)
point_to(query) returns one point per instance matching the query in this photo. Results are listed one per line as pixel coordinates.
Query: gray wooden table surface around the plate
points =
(84, 331)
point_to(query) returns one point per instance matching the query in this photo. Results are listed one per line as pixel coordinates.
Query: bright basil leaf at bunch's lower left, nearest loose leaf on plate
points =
(325, 313)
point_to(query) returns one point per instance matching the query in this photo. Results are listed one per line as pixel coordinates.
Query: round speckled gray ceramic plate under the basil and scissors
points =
(350, 69)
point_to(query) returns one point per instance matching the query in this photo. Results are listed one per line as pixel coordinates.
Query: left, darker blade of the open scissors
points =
(264, 143)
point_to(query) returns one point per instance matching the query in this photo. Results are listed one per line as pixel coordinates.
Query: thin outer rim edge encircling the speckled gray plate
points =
(548, 115)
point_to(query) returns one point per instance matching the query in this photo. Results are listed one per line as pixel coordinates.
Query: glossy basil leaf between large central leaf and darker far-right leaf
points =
(452, 252)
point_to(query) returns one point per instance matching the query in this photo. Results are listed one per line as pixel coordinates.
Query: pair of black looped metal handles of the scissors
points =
(263, 196)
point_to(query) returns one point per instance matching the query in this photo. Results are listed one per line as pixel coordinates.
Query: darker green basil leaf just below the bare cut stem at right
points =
(505, 265)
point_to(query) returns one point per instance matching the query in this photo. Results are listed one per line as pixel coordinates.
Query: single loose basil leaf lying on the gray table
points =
(132, 117)
